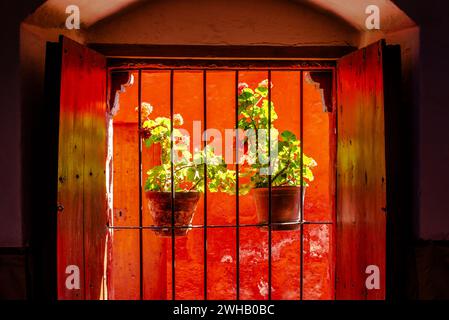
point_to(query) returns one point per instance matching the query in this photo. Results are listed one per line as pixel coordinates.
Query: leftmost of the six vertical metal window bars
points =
(140, 186)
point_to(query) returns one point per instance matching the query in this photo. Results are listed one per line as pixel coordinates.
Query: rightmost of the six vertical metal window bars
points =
(301, 200)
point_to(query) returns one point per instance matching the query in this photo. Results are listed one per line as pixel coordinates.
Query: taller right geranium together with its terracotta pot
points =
(271, 156)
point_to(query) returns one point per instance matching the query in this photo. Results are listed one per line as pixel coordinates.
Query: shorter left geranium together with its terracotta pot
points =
(173, 213)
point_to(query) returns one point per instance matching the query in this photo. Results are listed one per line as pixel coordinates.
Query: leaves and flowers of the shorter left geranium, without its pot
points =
(188, 168)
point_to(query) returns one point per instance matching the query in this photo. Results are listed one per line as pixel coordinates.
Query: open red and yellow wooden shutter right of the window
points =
(361, 174)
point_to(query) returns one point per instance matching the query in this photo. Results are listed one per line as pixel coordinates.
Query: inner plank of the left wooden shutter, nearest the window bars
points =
(95, 213)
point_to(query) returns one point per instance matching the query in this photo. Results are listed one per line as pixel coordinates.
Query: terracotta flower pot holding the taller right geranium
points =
(285, 206)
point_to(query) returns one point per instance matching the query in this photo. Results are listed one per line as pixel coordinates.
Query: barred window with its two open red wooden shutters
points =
(102, 230)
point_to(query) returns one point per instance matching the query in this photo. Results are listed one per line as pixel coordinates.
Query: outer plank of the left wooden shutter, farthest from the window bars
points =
(70, 172)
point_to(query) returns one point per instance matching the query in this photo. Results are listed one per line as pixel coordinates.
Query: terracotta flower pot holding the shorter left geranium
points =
(160, 203)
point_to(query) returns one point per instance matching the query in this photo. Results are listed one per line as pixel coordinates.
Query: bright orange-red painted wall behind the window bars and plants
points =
(221, 243)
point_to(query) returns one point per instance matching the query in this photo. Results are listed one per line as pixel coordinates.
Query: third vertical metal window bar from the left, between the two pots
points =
(205, 180)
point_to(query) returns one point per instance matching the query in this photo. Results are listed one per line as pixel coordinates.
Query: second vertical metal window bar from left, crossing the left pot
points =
(172, 189)
